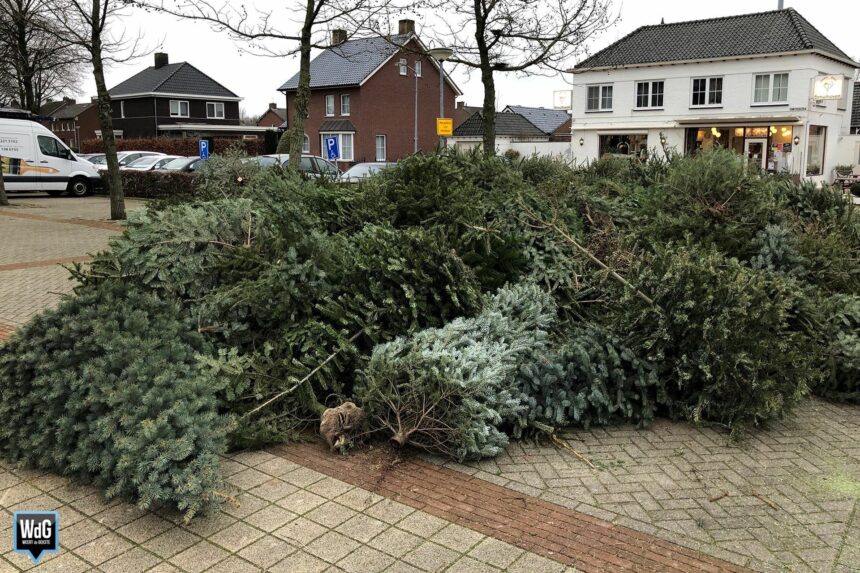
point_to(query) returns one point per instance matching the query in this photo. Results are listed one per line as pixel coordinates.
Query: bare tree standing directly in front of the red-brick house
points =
(262, 35)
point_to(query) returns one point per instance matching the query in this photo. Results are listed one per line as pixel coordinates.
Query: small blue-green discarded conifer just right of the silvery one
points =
(591, 378)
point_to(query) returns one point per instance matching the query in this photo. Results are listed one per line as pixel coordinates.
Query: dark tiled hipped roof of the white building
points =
(748, 34)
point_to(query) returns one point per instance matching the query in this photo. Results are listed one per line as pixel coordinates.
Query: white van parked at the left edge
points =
(34, 159)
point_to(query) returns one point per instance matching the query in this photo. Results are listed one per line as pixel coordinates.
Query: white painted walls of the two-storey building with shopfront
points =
(738, 81)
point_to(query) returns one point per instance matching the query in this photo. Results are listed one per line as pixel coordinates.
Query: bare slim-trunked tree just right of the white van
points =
(89, 25)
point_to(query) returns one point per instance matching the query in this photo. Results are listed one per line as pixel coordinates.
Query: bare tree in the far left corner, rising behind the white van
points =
(39, 63)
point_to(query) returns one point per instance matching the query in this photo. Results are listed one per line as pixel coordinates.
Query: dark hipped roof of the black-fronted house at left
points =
(180, 78)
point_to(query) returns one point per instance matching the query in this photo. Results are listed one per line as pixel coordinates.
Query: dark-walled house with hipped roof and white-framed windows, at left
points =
(176, 100)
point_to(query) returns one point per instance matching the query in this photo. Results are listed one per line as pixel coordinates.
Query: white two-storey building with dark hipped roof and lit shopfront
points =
(743, 82)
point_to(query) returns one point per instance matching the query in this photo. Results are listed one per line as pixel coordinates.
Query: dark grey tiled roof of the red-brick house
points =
(348, 64)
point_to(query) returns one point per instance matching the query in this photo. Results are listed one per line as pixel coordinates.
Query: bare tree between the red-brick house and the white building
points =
(525, 36)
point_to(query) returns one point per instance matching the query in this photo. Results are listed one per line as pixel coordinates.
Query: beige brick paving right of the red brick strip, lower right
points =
(785, 499)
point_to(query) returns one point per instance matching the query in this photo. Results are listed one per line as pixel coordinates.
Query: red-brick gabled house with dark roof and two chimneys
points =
(363, 92)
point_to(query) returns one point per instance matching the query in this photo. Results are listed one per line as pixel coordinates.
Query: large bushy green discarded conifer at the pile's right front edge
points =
(727, 341)
